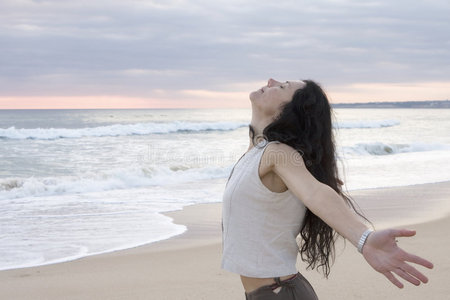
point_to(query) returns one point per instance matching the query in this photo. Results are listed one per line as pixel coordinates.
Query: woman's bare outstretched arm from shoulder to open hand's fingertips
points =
(380, 250)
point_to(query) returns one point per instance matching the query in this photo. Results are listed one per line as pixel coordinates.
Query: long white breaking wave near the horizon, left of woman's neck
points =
(117, 130)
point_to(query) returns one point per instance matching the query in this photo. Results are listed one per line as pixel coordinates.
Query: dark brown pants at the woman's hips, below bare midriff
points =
(296, 288)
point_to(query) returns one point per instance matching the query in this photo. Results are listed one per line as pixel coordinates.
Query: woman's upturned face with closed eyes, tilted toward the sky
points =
(270, 98)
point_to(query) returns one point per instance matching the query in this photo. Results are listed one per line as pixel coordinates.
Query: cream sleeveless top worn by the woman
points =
(259, 227)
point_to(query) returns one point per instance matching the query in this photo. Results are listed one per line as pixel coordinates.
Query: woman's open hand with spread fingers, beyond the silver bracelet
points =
(383, 254)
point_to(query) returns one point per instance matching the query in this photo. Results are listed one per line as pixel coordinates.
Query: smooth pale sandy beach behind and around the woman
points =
(188, 266)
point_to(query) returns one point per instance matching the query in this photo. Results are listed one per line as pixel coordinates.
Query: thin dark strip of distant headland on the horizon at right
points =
(404, 104)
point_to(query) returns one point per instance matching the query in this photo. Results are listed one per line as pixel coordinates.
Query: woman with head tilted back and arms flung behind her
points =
(287, 185)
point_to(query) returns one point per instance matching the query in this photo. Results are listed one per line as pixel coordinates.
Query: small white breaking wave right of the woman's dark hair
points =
(379, 148)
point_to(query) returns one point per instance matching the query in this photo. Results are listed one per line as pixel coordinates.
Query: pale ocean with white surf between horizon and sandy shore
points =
(75, 183)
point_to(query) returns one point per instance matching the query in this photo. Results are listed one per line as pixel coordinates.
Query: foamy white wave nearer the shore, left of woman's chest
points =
(120, 178)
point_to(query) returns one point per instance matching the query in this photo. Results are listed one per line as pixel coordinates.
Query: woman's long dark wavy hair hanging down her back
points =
(305, 124)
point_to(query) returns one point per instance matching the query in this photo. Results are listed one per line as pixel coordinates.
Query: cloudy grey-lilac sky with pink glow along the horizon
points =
(213, 53)
